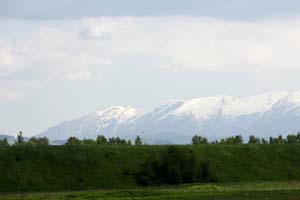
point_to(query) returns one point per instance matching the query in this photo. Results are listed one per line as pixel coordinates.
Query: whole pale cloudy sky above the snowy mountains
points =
(62, 59)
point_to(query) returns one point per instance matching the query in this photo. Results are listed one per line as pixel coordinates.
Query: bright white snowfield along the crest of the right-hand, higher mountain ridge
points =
(228, 106)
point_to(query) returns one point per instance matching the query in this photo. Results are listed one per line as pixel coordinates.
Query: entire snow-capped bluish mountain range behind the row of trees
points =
(177, 121)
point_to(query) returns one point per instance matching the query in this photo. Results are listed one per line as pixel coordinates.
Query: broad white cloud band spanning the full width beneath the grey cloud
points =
(81, 50)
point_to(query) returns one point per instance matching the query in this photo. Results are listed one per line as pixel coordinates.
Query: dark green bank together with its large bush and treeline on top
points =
(34, 165)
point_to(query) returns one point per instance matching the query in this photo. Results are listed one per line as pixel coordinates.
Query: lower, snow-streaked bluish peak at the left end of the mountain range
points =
(106, 121)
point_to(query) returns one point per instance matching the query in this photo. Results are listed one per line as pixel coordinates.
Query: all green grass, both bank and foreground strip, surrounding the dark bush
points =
(241, 171)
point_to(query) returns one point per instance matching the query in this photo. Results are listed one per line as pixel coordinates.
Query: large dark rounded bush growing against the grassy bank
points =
(175, 166)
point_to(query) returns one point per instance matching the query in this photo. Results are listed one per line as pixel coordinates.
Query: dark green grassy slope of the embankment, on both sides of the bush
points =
(57, 168)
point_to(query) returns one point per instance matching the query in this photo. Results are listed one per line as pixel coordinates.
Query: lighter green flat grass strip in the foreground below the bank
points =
(232, 191)
